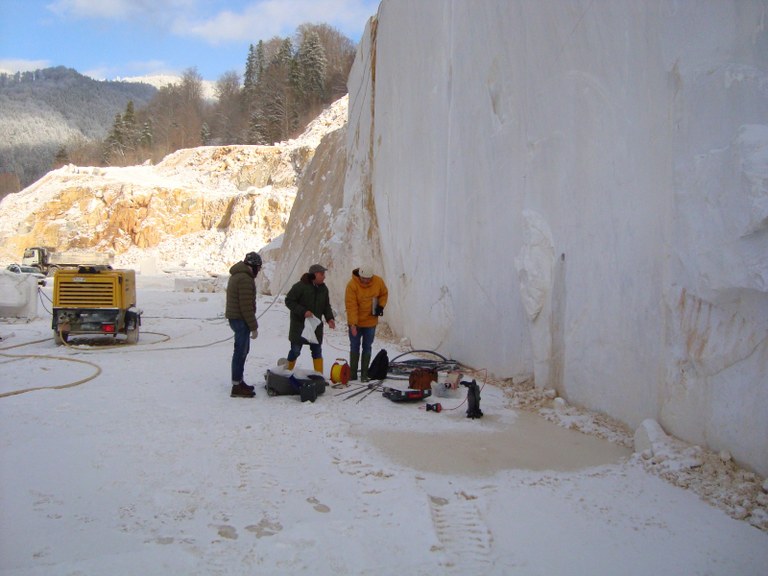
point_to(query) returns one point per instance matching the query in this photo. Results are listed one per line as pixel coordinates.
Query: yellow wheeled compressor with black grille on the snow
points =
(95, 300)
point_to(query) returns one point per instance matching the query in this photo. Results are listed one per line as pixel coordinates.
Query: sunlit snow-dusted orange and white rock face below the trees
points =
(200, 208)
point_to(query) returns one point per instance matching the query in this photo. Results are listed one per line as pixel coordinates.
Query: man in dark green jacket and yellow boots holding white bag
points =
(309, 298)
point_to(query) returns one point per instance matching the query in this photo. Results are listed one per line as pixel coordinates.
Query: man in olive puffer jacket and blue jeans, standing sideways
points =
(241, 313)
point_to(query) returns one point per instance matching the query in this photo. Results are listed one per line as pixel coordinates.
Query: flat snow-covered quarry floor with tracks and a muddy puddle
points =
(134, 460)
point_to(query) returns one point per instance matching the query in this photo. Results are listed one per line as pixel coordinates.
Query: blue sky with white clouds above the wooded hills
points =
(107, 39)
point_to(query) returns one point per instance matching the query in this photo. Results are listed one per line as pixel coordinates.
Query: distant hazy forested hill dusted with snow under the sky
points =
(42, 111)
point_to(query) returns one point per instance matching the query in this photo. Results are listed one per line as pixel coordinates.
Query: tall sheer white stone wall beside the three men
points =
(577, 190)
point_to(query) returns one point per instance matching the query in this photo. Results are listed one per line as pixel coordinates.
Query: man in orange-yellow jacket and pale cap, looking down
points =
(365, 299)
